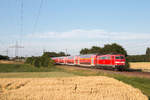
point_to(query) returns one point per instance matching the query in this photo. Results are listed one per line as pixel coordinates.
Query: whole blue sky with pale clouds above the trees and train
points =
(74, 24)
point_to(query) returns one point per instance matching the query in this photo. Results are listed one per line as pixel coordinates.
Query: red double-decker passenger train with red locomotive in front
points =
(108, 61)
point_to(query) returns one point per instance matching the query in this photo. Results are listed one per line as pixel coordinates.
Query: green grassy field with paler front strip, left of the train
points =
(28, 71)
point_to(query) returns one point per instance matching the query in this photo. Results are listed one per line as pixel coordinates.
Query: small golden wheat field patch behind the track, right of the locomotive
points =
(140, 65)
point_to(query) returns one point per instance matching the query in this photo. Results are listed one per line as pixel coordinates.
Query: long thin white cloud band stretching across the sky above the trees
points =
(91, 34)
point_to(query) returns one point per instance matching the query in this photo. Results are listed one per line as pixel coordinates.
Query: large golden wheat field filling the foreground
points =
(74, 88)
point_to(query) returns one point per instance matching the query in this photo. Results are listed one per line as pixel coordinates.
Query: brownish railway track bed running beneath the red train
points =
(134, 73)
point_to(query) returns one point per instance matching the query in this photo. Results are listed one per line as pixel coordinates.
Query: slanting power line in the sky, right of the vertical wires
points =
(38, 15)
